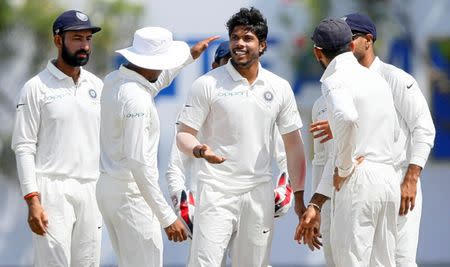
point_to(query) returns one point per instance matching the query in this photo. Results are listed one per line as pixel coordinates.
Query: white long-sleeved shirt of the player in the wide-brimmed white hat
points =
(129, 134)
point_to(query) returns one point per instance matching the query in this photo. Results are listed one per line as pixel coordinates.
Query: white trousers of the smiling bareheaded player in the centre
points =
(245, 220)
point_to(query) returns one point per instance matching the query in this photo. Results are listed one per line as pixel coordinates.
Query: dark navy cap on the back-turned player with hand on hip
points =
(331, 34)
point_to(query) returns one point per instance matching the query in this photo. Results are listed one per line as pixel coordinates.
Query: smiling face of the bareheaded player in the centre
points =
(245, 47)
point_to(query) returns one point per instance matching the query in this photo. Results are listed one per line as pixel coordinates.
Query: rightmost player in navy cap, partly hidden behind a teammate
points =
(416, 139)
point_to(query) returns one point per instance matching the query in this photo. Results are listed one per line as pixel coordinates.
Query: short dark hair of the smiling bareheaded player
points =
(252, 20)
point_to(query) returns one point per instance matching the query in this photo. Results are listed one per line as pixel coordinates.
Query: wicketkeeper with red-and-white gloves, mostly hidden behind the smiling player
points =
(182, 166)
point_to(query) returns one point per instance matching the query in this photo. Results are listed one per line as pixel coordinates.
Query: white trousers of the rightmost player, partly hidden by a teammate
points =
(408, 230)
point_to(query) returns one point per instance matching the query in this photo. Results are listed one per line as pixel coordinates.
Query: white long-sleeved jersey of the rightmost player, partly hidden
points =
(417, 129)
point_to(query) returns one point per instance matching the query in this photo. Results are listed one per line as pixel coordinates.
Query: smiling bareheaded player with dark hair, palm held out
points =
(237, 108)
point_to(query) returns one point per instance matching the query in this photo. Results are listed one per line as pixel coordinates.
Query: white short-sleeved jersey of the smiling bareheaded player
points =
(238, 121)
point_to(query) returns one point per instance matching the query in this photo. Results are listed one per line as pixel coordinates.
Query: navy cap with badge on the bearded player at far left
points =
(73, 20)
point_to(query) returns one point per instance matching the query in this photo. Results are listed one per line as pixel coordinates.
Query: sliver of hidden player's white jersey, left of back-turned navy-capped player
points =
(323, 160)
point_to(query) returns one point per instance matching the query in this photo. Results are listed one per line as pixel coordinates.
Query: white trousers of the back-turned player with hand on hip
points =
(364, 217)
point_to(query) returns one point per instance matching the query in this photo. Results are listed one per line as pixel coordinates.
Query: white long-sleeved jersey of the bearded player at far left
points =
(57, 127)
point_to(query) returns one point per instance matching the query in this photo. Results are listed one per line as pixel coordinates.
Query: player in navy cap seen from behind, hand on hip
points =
(363, 121)
